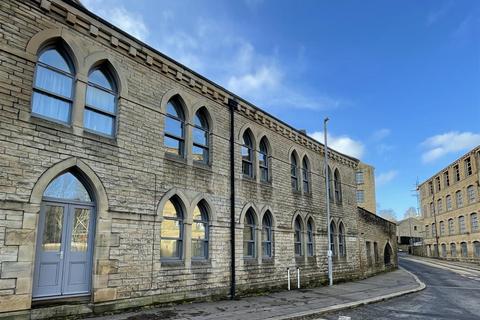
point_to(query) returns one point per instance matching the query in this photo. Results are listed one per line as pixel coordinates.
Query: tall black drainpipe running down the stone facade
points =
(233, 105)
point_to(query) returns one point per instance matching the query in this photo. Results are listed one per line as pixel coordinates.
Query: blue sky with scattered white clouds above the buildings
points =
(400, 80)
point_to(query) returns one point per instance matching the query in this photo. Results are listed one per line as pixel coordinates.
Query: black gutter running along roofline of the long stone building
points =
(81, 8)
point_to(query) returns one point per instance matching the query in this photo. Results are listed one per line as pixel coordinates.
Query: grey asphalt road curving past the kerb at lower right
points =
(448, 295)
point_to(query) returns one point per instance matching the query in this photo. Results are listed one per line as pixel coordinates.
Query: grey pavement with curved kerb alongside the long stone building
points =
(292, 305)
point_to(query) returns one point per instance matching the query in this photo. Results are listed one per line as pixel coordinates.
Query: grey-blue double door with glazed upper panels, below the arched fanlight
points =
(63, 261)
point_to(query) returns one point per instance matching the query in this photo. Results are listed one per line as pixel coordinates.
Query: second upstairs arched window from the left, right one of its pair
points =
(101, 102)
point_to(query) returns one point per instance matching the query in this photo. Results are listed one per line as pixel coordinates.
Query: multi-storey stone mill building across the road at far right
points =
(450, 207)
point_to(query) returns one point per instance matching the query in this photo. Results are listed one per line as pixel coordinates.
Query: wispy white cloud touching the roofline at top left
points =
(130, 22)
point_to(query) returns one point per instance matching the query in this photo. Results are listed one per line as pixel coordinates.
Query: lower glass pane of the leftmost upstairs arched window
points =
(51, 107)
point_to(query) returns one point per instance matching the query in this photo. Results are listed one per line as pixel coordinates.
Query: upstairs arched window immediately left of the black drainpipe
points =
(201, 137)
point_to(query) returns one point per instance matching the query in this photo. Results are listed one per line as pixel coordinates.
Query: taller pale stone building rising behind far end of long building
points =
(365, 180)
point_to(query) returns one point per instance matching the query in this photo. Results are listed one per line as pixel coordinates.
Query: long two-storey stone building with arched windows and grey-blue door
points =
(128, 179)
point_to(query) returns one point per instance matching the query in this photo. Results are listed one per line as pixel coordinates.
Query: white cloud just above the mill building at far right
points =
(450, 142)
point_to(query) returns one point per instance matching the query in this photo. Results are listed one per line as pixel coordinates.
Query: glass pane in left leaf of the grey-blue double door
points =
(52, 234)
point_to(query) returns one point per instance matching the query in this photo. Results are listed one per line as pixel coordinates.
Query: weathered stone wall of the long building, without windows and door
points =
(132, 176)
